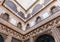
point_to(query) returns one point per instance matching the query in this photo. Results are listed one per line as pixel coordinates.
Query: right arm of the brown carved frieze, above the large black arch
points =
(42, 28)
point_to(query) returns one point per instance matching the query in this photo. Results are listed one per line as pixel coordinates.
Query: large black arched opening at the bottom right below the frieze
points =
(45, 38)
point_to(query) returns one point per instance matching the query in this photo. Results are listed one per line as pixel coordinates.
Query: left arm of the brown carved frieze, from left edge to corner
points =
(10, 31)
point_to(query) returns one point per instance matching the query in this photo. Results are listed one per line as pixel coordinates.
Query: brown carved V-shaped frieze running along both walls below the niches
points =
(32, 33)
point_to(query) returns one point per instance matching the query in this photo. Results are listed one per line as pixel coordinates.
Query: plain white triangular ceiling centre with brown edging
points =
(26, 4)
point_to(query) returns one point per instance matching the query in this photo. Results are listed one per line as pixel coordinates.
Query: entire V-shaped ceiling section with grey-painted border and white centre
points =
(26, 10)
